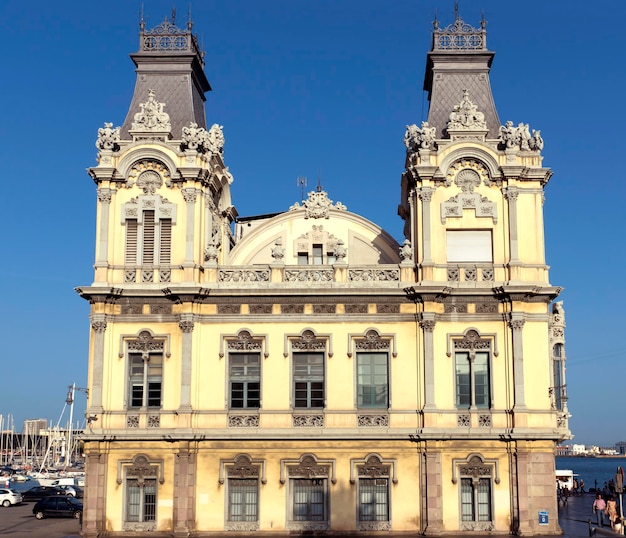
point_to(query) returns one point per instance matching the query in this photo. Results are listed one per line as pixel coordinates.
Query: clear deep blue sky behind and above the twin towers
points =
(305, 88)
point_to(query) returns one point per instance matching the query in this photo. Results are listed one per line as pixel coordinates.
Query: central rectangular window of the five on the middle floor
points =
(308, 380)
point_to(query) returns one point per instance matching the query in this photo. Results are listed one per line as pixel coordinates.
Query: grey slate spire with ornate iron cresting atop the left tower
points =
(171, 66)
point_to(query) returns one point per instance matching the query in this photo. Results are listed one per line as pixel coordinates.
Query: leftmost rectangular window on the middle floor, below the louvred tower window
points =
(146, 378)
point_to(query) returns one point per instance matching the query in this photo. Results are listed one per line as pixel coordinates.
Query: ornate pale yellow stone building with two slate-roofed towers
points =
(304, 372)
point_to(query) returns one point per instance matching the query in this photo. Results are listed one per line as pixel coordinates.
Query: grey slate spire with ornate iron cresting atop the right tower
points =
(459, 62)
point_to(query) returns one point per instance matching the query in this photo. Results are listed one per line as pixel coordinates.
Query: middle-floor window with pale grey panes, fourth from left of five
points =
(372, 380)
